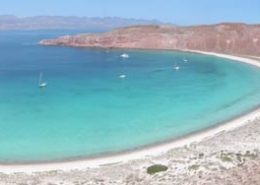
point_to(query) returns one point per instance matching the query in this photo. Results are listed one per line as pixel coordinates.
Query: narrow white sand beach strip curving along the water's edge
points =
(152, 150)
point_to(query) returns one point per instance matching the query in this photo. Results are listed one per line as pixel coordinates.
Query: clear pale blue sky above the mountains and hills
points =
(183, 12)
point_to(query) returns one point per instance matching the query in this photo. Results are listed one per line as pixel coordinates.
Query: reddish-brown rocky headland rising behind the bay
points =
(230, 38)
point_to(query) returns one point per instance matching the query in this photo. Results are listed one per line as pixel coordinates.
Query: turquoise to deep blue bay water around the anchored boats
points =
(87, 110)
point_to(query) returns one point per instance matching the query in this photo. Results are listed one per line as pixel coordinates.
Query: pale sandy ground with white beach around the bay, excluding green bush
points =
(226, 154)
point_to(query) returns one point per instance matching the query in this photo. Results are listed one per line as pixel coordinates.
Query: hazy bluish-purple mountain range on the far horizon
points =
(11, 22)
